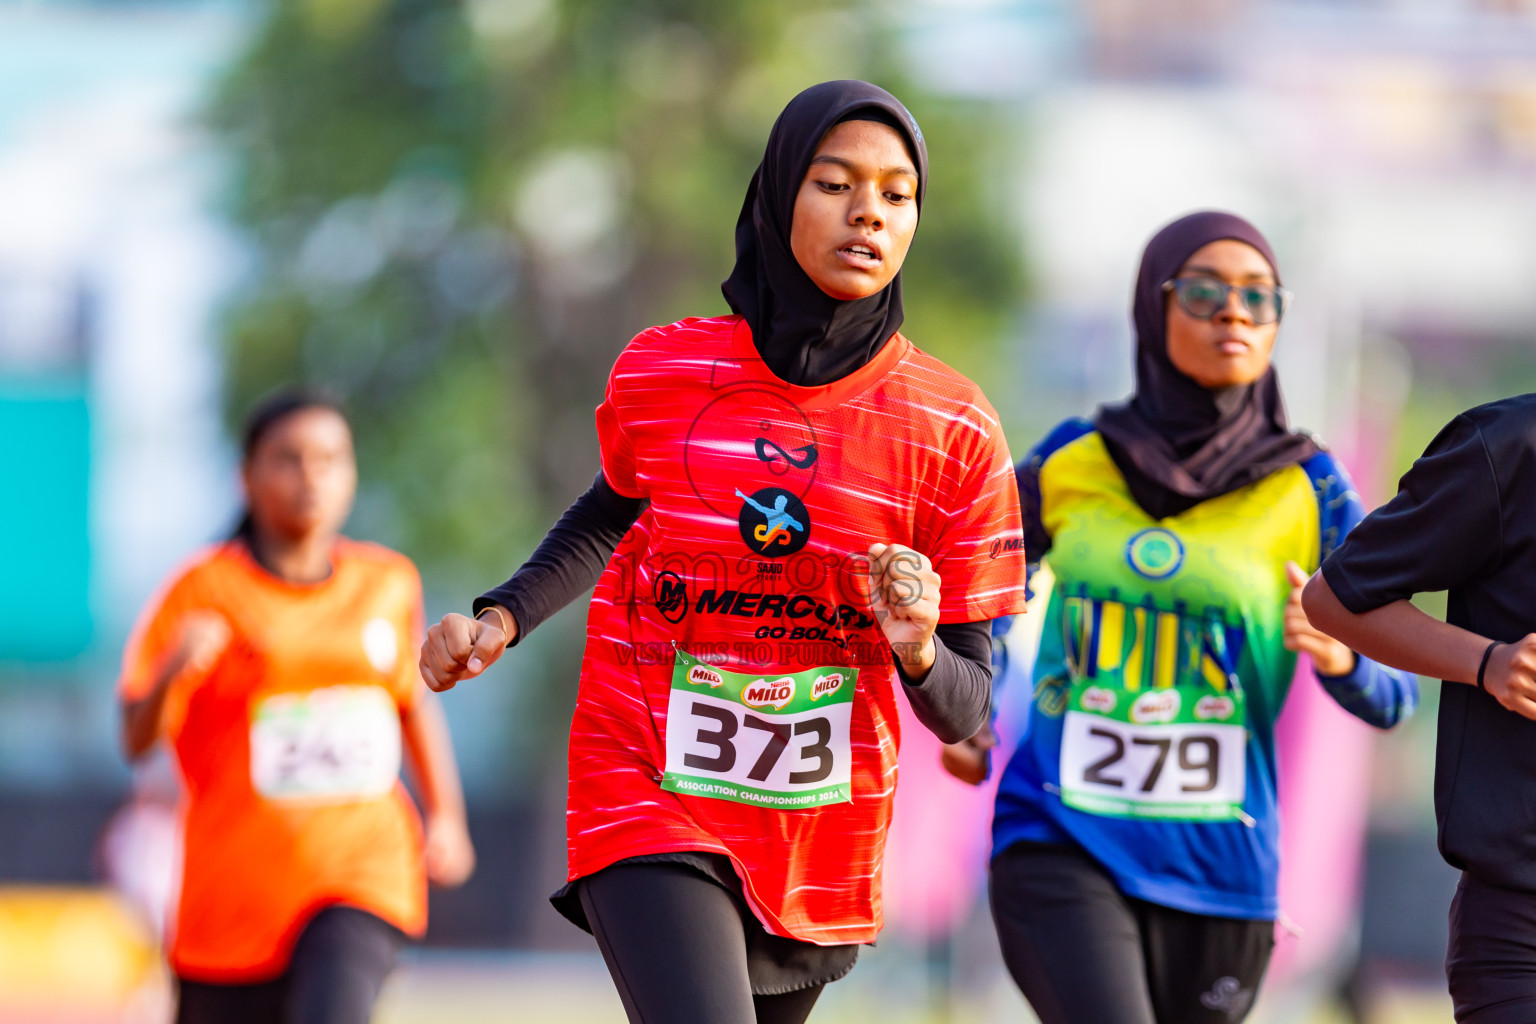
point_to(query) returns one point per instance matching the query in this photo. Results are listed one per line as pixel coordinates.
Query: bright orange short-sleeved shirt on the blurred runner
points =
(290, 753)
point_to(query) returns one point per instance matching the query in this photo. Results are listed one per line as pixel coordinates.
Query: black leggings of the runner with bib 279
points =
(1082, 951)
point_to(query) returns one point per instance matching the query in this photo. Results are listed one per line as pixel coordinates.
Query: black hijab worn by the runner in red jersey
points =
(803, 334)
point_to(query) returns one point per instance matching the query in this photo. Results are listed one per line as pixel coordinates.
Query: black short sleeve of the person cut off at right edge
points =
(1445, 527)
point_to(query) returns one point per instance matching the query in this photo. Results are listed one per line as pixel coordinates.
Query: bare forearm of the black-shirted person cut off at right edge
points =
(1397, 635)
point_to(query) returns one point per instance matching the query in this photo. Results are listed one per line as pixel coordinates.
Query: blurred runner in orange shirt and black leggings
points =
(280, 670)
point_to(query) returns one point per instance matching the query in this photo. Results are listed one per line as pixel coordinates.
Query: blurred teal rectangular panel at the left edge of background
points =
(45, 540)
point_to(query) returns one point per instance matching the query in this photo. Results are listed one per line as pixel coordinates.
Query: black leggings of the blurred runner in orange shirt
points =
(339, 968)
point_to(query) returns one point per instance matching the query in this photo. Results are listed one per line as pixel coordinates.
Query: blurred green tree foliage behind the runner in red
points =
(460, 214)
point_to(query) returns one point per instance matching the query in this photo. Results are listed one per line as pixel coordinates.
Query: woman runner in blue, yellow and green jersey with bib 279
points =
(1136, 841)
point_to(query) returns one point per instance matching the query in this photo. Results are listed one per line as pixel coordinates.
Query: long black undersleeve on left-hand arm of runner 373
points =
(571, 558)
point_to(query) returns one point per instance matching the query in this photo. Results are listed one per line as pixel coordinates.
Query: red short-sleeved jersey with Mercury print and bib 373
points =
(737, 695)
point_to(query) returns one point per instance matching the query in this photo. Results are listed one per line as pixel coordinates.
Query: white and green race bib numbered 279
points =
(1176, 753)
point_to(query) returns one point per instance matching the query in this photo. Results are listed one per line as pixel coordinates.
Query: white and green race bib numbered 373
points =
(772, 741)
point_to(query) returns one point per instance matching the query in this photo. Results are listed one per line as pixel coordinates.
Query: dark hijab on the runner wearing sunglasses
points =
(1176, 441)
